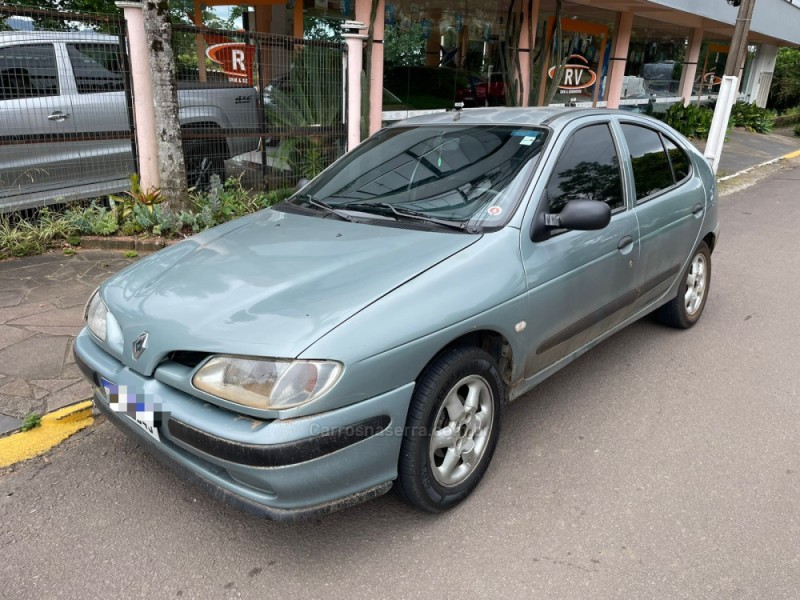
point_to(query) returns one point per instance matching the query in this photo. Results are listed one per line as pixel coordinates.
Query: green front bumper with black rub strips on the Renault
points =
(280, 469)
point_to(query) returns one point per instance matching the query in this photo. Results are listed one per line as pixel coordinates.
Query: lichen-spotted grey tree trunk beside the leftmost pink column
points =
(172, 171)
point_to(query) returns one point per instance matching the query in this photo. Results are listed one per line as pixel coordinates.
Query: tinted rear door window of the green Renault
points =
(651, 168)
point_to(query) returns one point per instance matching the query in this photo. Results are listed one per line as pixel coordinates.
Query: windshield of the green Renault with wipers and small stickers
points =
(460, 174)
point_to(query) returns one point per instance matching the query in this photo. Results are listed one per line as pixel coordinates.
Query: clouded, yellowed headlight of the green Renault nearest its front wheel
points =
(266, 383)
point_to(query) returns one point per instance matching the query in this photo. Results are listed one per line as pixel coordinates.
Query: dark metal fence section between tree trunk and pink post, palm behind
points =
(264, 108)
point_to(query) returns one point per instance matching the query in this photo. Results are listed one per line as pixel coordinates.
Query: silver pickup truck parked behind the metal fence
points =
(65, 130)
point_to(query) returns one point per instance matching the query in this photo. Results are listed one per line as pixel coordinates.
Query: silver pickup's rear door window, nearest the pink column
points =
(97, 68)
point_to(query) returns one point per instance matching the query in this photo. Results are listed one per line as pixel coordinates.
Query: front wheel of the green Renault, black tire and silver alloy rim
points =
(452, 429)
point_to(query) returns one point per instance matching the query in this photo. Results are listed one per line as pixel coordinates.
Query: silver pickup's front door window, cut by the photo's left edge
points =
(28, 72)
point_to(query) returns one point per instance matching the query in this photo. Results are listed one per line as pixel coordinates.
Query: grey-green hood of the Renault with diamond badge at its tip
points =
(269, 284)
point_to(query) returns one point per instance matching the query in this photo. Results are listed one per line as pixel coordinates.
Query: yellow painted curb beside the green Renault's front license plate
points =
(56, 427)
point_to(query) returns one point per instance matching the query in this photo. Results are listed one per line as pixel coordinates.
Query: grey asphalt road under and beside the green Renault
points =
(663, 464)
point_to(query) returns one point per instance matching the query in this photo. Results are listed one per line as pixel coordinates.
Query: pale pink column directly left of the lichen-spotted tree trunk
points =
(144, 112)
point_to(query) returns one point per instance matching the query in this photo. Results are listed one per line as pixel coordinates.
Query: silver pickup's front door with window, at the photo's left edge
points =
(37, 131)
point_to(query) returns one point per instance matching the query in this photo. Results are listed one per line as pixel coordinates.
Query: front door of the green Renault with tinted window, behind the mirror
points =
(580, 283)
